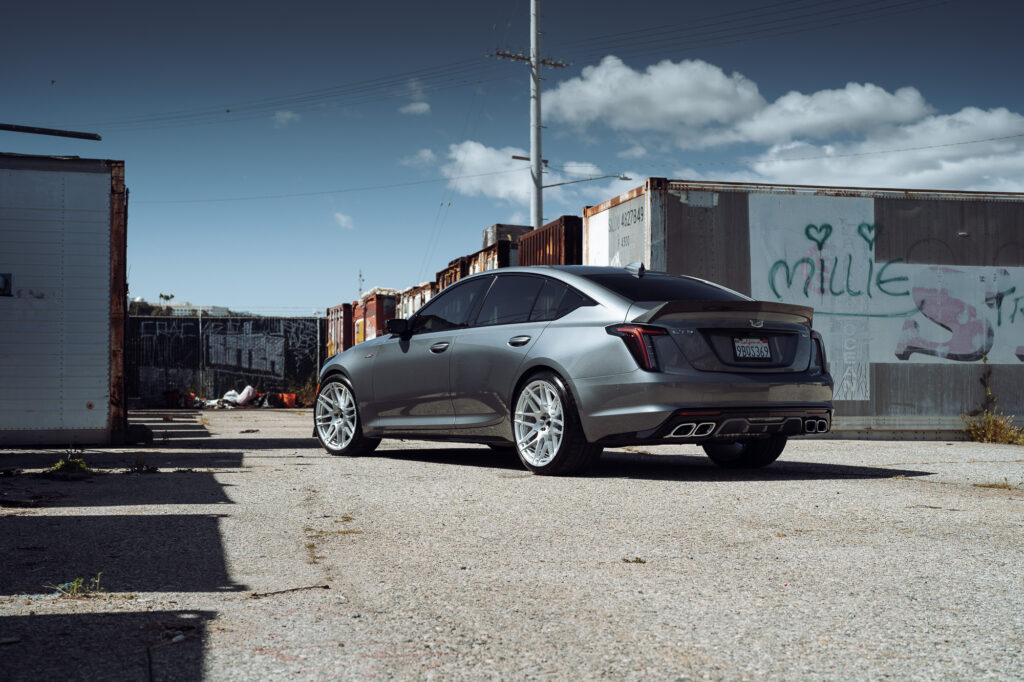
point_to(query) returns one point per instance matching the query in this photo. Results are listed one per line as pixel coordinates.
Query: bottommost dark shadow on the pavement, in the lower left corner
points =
(157, 646)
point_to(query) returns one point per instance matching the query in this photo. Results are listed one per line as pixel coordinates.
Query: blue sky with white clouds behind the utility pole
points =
(275, 151)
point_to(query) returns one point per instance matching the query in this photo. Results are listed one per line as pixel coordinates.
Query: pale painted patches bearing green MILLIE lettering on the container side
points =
(820, 251)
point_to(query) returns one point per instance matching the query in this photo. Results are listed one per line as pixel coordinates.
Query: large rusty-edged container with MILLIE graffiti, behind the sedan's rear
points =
(914, 290)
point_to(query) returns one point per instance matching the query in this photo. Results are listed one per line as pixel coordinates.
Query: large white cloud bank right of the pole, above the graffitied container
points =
(860, 135)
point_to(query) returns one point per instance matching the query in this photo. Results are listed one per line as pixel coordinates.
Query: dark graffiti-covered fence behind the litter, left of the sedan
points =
(208, 357)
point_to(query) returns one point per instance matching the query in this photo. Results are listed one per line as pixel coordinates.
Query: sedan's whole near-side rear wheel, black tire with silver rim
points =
(546, 429)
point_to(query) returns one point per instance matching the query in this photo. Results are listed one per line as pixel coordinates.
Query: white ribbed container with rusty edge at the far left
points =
(63, 300)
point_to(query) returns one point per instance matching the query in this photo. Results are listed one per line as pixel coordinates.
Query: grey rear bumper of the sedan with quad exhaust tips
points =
(644, 407)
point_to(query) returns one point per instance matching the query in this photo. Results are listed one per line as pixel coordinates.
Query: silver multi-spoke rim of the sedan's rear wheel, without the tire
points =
(539, 422)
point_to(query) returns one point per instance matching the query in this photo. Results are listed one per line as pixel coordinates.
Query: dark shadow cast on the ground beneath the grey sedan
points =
(625, 464)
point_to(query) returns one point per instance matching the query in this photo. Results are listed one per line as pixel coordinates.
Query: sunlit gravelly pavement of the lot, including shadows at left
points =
(250, 555)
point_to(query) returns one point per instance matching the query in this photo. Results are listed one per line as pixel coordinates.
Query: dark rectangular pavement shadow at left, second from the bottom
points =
(153, 553)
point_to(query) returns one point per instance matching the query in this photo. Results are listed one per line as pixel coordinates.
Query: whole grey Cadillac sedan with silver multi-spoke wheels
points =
(558, 363)
